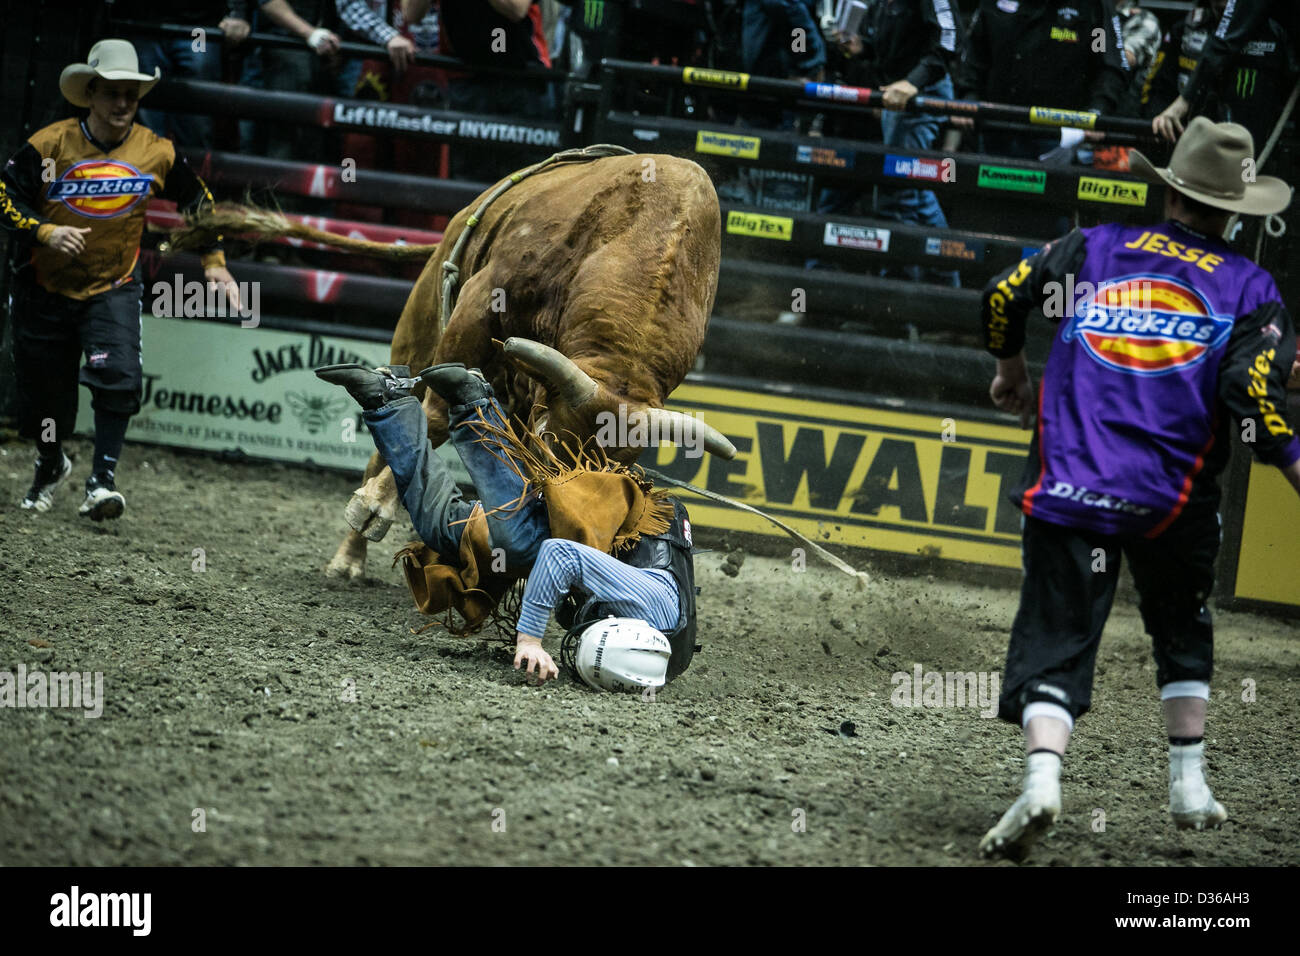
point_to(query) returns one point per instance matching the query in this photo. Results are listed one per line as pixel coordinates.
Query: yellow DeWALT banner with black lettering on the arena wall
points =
(856, 475)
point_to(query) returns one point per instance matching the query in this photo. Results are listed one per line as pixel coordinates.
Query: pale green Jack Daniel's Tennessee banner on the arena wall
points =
(223, 388)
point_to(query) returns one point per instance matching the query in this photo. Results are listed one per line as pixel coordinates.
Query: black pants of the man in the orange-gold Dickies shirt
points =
(51, 336)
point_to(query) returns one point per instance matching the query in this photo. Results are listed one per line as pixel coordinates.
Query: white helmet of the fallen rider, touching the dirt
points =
(619, 655)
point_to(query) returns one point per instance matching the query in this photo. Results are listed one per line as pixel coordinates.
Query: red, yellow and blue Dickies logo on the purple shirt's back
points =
(1149, 326)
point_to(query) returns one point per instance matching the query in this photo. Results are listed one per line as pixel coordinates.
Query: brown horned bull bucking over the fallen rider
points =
(600, 276)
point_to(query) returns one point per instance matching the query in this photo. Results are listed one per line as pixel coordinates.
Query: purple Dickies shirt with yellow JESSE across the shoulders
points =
(1130, 393)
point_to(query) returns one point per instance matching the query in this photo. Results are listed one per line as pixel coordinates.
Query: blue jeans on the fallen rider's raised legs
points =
(431, 495)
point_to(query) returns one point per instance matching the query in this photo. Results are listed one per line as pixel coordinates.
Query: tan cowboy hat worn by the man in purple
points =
(1210, 165)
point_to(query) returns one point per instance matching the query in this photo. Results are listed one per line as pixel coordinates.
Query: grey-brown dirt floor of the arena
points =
(226, 693)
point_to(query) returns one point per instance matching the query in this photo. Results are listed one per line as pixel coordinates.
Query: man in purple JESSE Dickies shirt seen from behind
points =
(1171, 347)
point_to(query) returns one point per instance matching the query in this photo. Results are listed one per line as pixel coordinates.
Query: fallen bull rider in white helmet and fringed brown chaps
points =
(593, 534)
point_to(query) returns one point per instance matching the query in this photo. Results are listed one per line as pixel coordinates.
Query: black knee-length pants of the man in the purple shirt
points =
(1071, 579)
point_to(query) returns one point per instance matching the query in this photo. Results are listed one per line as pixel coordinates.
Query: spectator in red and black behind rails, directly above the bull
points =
(492, 33)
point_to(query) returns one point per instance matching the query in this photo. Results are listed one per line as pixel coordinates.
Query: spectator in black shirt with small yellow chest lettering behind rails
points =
(1042, 54)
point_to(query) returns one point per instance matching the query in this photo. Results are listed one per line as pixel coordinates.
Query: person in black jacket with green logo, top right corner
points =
(1250, 90)
